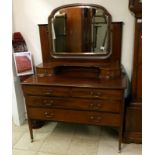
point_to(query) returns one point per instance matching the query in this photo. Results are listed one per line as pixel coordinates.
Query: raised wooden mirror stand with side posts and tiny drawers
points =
(106, 68)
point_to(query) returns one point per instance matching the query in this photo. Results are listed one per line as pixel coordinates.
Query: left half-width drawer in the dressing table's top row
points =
(46, 91)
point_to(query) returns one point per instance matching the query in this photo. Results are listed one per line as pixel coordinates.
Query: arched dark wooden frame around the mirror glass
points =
(80, 55)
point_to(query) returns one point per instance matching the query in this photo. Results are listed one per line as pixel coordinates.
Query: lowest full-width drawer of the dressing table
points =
(97, 118)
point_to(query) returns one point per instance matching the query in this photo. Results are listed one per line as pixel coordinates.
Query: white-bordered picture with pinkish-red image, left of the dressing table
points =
(23, 63)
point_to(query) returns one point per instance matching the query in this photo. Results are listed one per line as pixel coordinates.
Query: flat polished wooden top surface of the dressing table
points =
(117, 83)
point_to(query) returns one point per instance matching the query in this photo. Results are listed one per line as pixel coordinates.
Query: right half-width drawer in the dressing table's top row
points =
(96, 93)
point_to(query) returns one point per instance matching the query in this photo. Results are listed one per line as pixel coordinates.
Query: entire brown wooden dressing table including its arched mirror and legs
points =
(81, 79)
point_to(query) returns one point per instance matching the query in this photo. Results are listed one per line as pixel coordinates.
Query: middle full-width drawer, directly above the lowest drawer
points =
(74, 103)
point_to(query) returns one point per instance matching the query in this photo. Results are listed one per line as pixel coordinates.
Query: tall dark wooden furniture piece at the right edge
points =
(133, 120)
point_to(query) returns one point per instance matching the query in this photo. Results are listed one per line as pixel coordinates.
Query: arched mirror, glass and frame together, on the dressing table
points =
(80, 30)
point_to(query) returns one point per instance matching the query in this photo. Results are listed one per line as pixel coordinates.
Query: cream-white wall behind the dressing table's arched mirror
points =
(27, 14)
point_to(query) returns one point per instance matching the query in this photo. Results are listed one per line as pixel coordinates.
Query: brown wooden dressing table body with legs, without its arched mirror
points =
(78, 90)
